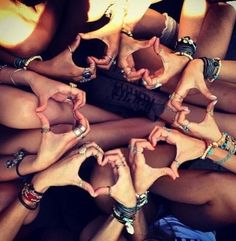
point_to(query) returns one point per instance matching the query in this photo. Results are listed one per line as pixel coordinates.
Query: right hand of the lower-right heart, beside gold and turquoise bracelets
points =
(187, 148)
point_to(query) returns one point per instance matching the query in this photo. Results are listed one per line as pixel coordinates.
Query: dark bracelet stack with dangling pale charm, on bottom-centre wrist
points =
(125, 216)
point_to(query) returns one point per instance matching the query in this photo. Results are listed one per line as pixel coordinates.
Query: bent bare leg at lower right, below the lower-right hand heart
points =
(201, 199)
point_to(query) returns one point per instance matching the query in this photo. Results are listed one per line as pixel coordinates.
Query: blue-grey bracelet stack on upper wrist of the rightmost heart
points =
(212, 67)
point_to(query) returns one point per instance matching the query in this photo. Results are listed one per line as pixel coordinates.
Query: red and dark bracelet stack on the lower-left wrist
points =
(29, 197)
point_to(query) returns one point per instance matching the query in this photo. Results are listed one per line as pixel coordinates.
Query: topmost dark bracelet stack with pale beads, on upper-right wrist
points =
(185, 47)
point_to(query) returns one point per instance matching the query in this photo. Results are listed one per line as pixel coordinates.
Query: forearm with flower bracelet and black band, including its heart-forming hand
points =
(52, 147)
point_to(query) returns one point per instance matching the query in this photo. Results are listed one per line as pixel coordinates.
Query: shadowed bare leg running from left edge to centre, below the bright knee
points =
(108, 135)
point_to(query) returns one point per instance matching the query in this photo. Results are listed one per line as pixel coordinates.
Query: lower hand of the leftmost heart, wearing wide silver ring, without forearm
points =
(53, 146)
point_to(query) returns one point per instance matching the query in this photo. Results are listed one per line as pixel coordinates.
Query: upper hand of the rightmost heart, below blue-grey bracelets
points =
(192, 78)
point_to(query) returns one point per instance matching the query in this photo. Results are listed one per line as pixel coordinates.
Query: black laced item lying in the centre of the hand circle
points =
(112, 92)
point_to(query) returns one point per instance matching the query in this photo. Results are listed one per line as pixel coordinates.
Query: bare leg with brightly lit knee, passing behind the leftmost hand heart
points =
(19, 112)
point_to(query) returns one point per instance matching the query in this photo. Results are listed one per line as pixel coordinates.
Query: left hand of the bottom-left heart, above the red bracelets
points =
(66, 171)
